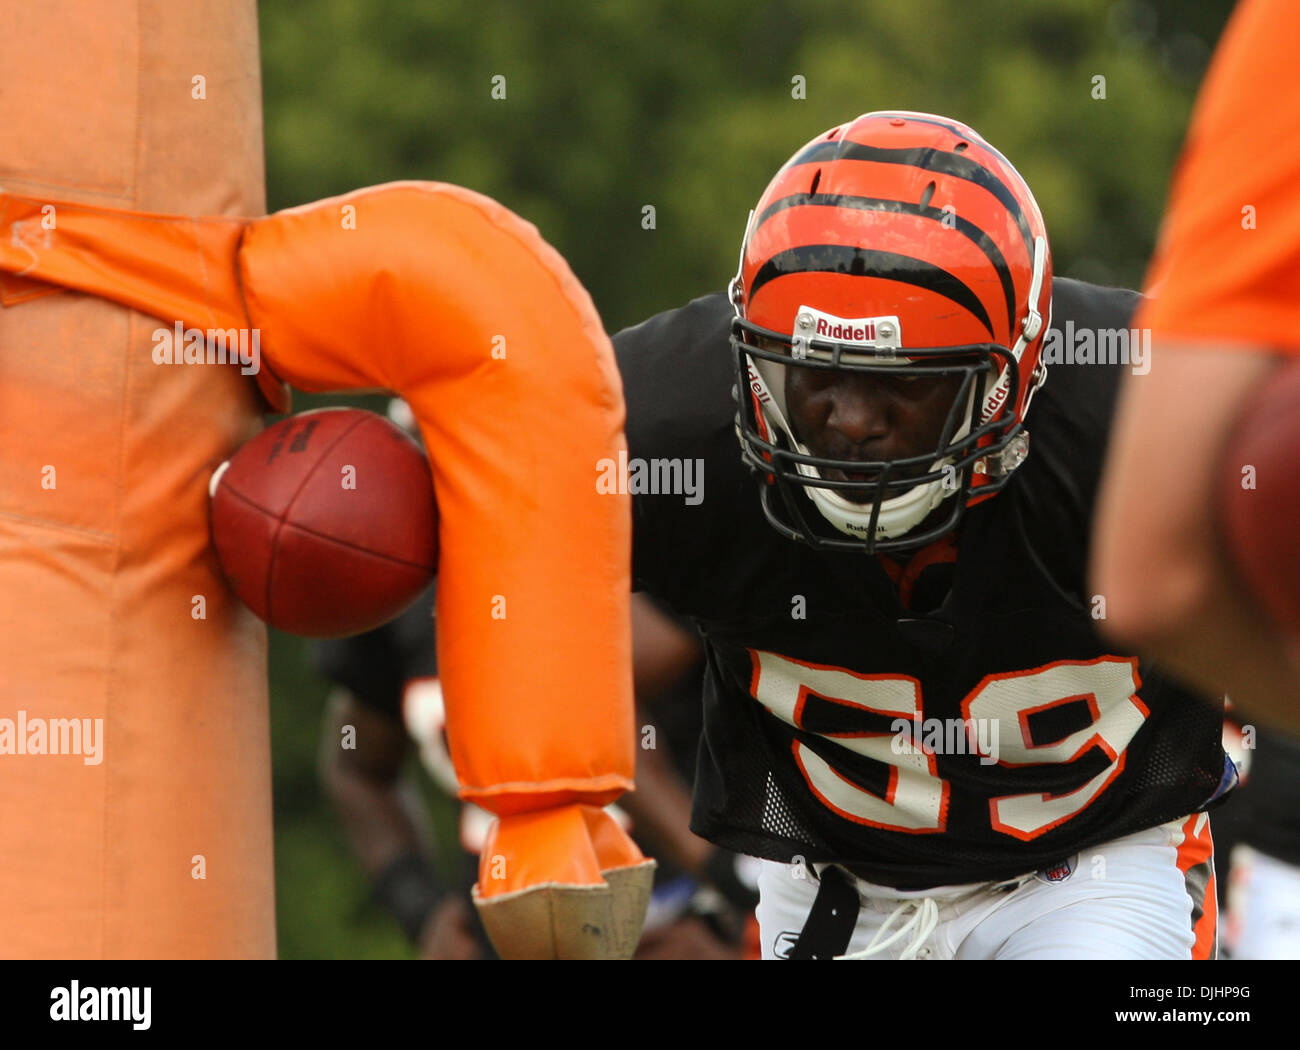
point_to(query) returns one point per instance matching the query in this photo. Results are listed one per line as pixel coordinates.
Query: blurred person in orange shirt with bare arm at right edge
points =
(1227, 310)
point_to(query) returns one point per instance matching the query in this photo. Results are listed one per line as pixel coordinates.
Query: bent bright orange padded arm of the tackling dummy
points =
(458, 306)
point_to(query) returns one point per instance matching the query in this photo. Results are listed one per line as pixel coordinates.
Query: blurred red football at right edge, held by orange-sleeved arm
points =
(1260, 498)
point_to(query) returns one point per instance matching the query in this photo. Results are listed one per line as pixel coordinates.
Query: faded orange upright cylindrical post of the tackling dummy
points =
(153, 838)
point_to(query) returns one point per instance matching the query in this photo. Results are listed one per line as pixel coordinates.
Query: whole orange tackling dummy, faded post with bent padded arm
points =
(162, 847)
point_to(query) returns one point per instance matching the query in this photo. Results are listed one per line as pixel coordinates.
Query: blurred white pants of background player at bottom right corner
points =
(1264, 906)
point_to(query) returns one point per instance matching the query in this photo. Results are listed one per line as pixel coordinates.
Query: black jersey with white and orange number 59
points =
(956, 722)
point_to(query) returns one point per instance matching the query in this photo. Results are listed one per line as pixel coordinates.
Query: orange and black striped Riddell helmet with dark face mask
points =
(904, 242)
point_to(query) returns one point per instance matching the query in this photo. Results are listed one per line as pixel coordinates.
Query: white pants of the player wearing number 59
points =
(1149, 896)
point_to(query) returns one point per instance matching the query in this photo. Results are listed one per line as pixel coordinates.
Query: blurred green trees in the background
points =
(691, 109)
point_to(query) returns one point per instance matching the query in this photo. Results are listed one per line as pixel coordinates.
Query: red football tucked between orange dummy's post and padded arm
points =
(326, 524)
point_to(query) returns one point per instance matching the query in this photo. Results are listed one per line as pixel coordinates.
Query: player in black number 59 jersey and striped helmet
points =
(909, 714)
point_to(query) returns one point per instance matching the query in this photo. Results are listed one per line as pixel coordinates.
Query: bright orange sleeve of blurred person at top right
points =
(1228, 266)
